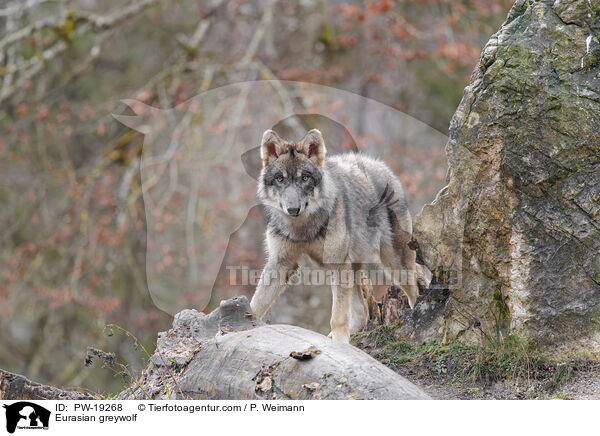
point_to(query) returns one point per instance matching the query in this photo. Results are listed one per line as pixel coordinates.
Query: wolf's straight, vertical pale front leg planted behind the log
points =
(342, 289)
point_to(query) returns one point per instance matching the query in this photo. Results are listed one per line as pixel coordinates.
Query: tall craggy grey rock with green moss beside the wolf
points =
(515, 236)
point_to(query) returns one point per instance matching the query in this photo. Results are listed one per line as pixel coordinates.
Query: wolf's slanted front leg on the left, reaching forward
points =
(272, 283)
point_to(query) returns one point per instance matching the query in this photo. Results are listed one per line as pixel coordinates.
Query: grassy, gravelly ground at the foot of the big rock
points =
(508, 370)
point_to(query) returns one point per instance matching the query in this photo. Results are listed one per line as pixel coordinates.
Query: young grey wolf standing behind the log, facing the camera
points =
(344, 212)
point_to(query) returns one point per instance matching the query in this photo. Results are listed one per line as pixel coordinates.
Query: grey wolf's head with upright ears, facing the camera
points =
(292, 172)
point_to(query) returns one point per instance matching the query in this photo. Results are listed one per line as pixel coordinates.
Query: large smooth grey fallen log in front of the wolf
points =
(231, 354)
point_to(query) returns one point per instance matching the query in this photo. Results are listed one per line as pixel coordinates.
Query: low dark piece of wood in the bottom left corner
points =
(17, 387)
